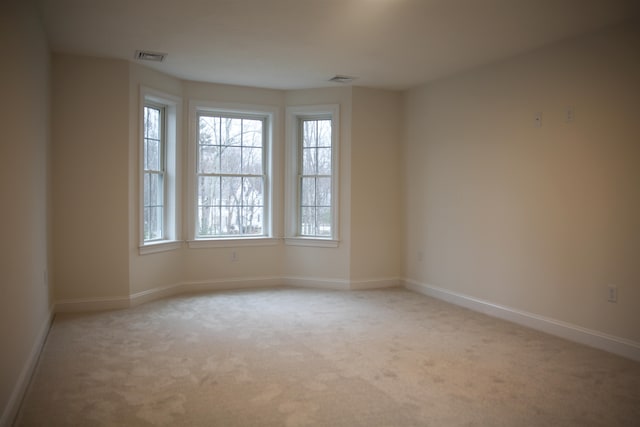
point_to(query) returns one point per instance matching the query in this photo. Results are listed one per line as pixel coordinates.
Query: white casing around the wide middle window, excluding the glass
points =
(271, 193)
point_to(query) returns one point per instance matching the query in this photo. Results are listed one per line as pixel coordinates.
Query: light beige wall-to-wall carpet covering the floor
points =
(301, 357)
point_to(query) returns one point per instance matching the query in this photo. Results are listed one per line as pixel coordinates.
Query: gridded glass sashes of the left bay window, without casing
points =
(154, 172)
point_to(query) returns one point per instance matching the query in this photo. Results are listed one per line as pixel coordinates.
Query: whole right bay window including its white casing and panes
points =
(312, 181)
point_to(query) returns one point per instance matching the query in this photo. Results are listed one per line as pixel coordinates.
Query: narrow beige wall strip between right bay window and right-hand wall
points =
(375, 184)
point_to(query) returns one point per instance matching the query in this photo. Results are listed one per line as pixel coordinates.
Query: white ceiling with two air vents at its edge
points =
(291, 44)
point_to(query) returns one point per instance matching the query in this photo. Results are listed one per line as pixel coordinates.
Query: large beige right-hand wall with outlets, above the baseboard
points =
(537, 219)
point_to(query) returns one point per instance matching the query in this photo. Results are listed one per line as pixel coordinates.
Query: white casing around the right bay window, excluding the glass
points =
(293, 153)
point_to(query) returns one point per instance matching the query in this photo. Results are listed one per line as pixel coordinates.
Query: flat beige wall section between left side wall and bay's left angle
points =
(90, 177)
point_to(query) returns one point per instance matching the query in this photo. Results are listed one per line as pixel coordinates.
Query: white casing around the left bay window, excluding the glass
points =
(171, 106)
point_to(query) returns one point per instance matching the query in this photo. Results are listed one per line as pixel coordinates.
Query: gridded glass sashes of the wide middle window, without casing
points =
(231, 179)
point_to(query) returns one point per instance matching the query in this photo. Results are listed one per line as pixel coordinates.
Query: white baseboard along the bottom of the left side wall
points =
(13, 405)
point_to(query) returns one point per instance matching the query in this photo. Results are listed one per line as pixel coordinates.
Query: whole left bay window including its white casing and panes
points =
(159, 175)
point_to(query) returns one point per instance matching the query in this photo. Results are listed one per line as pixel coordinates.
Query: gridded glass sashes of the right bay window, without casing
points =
(315, 177)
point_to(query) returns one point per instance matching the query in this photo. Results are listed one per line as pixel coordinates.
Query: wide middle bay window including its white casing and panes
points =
(212, 219)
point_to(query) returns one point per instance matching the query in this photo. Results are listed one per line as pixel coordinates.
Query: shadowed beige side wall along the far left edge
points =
(25, 212)
